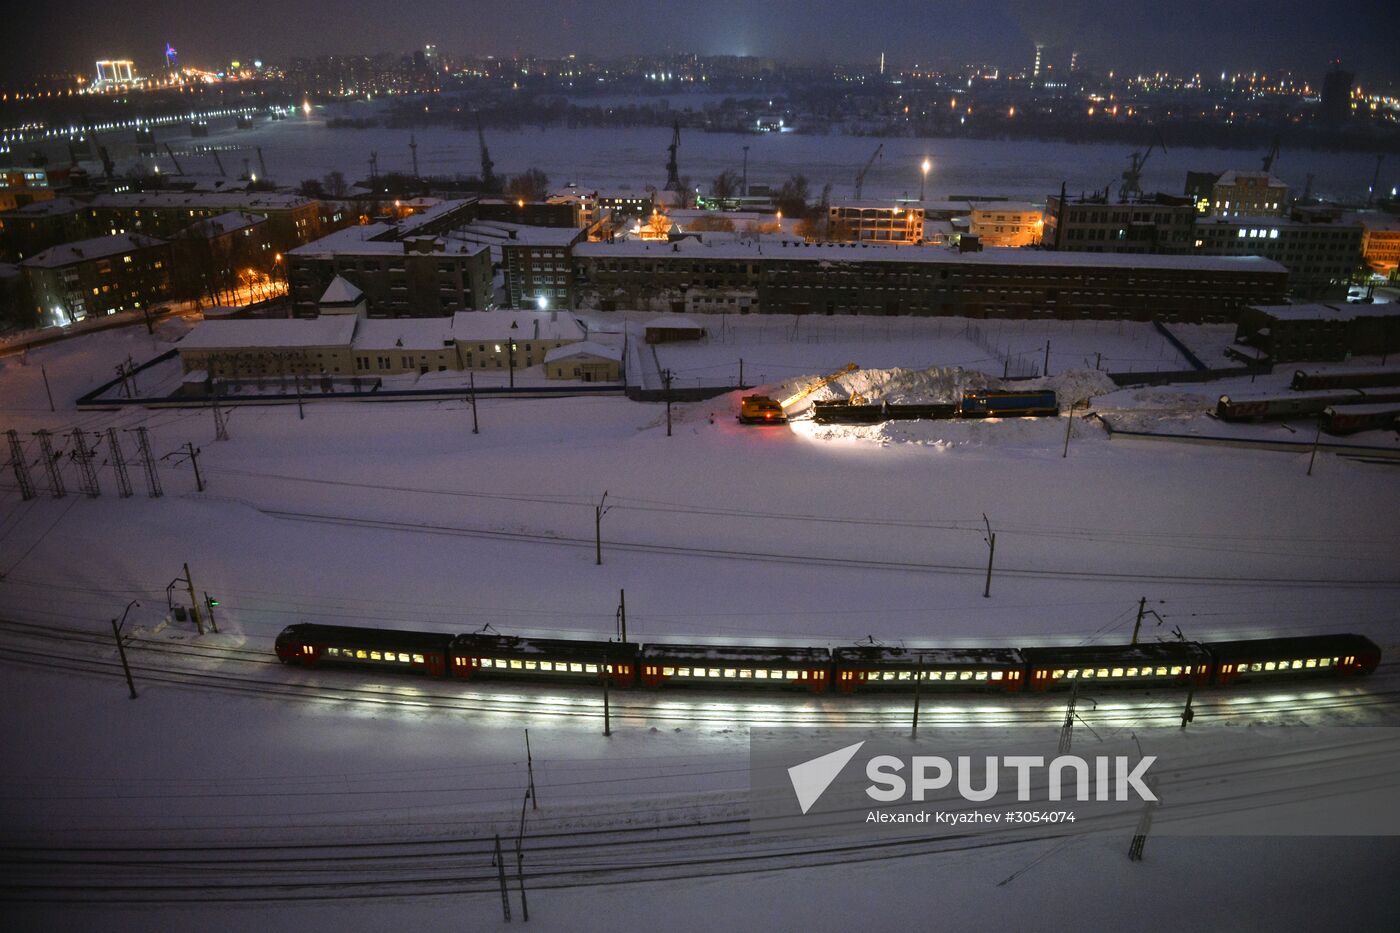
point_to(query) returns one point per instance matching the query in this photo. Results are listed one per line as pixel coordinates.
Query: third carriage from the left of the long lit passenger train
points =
(724, 666)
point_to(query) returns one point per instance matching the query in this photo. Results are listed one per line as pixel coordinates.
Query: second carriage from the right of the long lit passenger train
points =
(1150, 665)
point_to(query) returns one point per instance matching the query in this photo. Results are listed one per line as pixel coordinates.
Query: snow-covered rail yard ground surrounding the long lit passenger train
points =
(400, 516)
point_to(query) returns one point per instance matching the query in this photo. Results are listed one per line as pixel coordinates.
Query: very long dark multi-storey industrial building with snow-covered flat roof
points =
(792, 277)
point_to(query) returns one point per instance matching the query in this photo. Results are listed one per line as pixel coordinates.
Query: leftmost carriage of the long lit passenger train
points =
(311, 645)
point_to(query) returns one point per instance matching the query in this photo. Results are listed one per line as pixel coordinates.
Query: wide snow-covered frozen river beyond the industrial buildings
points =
(304, 148)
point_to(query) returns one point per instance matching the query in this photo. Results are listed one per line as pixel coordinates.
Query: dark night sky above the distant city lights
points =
(1128, 36)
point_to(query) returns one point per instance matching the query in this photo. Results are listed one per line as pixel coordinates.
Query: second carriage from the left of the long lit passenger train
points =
(506, 656)
